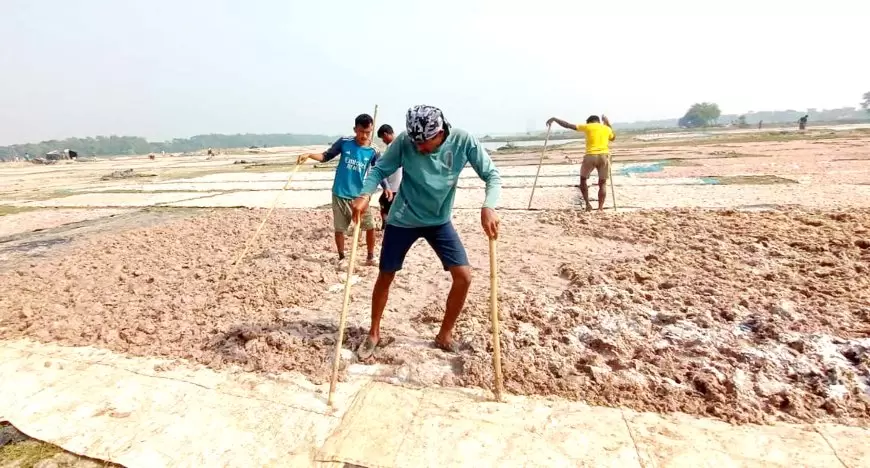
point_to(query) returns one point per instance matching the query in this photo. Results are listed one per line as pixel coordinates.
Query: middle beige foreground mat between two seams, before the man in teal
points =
(452, 428)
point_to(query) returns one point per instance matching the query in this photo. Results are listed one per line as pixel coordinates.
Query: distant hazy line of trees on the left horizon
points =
(129, 145)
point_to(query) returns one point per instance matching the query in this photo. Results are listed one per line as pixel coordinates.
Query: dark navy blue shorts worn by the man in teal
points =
(443, 239)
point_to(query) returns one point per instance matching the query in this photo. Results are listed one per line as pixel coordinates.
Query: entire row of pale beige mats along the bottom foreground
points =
(153, 413)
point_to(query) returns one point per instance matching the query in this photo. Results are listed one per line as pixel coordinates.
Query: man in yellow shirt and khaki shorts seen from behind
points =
(598, 138)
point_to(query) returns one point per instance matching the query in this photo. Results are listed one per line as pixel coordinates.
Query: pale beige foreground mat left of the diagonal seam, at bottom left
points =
(98, 404)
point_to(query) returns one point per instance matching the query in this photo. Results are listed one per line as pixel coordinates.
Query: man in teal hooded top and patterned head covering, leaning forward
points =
(431, 154)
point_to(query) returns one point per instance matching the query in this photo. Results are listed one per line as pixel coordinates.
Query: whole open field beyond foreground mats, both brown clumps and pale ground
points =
(733, 284)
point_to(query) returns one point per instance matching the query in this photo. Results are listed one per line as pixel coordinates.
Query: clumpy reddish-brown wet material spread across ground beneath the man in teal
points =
(748, 317)
